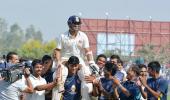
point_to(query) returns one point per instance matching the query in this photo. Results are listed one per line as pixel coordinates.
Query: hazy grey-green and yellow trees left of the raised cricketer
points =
(27, 43)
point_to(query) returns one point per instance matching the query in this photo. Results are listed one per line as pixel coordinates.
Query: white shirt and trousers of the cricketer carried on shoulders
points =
(70, 46)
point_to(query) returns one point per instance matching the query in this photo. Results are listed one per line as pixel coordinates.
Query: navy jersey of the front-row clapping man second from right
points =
(132, 88)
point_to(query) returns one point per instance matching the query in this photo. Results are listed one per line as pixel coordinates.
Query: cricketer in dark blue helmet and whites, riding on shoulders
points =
(75, 43)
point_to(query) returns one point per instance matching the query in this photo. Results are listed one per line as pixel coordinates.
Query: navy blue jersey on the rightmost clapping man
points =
(158, 84)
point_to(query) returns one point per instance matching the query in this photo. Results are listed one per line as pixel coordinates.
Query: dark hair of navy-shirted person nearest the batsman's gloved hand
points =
(111, 67)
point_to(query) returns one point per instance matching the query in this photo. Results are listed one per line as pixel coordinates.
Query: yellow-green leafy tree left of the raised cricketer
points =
(36, 49)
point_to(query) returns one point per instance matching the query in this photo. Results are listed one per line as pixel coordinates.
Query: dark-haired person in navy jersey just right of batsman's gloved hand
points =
(105, 88)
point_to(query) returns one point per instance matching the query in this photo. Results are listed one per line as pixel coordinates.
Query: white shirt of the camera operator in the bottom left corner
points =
(12, 91)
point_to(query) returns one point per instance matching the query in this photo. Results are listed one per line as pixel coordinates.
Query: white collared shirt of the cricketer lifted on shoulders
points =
(72, 46)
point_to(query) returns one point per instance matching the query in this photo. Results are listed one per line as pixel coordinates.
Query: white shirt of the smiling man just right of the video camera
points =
(37, 95)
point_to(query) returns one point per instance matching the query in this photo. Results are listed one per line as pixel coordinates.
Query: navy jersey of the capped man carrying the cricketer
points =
(72, 88)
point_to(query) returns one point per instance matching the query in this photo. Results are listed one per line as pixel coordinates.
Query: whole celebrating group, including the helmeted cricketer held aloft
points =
(72, 74)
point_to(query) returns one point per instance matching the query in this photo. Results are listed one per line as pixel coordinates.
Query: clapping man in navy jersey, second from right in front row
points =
(129, 90)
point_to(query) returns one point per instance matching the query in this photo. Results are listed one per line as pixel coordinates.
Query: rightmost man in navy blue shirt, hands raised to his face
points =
(156, 87)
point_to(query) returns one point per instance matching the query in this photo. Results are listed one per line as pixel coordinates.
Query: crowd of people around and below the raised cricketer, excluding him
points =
(112, 82)
